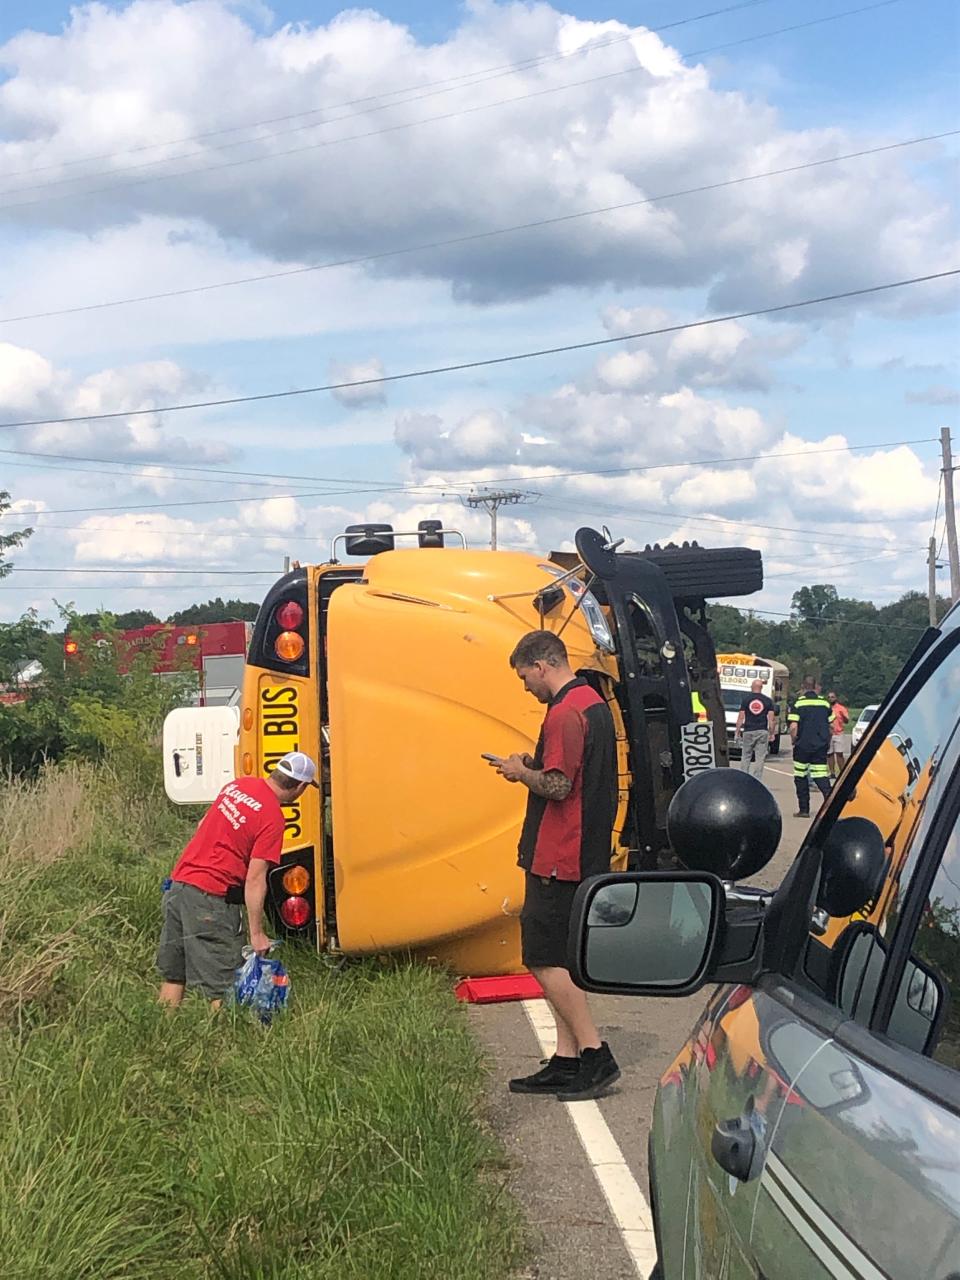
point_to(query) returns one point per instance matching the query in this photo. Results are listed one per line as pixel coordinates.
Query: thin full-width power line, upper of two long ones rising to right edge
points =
(474, 237)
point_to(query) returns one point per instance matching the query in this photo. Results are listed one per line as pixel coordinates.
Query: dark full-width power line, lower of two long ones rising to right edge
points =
(780, 309)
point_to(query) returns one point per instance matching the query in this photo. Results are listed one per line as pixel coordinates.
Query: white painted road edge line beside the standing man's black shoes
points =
(621, 1191)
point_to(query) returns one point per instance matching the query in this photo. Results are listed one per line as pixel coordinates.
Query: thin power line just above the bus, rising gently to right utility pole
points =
(442, 491)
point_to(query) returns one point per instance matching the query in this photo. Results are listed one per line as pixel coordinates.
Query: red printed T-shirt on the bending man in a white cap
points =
(244, 822)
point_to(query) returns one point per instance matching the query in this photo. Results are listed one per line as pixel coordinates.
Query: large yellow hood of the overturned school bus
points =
(424, 831)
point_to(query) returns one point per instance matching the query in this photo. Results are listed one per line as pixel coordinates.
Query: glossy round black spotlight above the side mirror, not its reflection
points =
(724, 822)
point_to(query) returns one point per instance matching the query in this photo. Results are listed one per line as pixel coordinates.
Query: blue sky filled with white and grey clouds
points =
(335, 196)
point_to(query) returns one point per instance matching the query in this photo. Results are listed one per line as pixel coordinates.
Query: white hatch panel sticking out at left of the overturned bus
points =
(199, 746)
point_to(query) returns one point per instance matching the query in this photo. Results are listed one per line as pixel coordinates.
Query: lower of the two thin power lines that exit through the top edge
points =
(412, 125)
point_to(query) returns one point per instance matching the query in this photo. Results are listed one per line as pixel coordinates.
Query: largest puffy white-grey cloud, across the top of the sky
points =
(117, 79)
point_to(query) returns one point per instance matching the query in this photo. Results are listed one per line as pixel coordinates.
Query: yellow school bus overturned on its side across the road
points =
(394, 675)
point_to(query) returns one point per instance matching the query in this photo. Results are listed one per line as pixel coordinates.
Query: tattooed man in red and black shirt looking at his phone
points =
(568, 835)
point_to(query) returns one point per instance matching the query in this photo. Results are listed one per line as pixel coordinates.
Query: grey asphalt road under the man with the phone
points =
(551, 1172)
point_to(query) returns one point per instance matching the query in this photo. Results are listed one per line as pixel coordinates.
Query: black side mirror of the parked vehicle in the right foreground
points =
(648, 935)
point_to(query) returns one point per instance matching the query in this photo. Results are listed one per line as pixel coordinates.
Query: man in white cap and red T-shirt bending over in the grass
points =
(225, 865)
